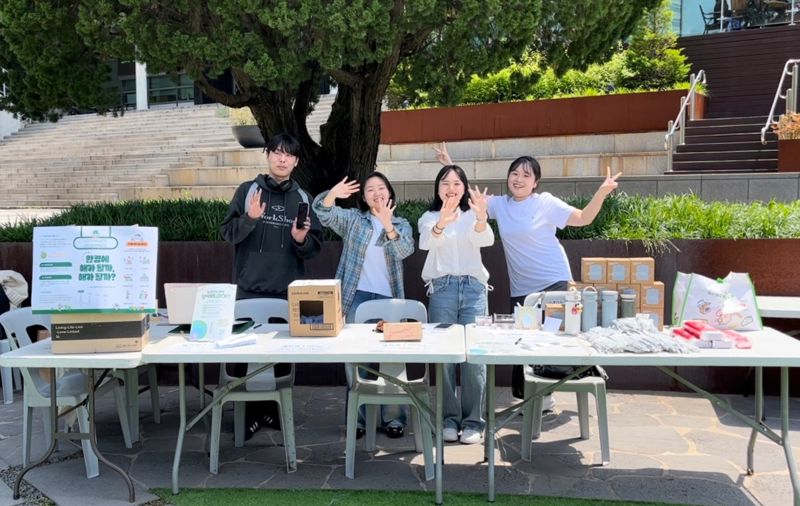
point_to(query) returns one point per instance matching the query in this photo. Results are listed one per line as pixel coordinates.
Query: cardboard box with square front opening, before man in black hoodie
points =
(315, 308)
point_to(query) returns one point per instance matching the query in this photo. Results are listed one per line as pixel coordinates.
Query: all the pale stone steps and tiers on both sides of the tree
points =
(190, 152)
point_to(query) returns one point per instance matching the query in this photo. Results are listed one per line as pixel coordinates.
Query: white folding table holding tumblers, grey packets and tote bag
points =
(770, 349)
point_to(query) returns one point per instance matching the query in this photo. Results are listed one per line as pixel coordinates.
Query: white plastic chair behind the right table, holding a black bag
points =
(532, 414)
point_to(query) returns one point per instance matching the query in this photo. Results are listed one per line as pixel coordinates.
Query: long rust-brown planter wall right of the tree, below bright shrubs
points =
(629, 113)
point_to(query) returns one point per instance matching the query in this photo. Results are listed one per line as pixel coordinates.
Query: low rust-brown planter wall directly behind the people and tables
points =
(770, 262)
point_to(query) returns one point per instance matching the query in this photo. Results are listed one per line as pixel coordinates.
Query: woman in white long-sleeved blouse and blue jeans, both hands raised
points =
(453, 232)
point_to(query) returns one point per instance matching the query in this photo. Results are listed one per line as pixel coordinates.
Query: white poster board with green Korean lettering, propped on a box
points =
(94, 269)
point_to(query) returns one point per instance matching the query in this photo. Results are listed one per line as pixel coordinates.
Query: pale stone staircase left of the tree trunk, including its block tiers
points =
(160, 153)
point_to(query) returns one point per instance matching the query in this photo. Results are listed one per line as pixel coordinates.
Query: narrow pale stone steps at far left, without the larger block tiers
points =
(90, 158)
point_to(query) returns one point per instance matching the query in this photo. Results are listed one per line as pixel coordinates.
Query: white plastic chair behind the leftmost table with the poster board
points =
(71, 390)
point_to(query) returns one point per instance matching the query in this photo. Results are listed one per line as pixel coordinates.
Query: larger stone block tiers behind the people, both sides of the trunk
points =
(414, 167)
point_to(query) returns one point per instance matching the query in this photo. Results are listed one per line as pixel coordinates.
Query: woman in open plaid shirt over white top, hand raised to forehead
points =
(374, 244)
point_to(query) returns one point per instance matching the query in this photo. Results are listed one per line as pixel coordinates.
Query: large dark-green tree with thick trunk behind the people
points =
(279, 51)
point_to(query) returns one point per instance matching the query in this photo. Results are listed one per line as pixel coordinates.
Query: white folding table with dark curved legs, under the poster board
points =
(40, 354)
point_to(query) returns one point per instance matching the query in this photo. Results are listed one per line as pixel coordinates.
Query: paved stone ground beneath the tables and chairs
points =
(665, 447)
